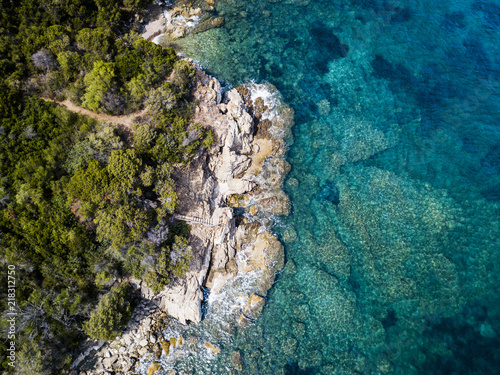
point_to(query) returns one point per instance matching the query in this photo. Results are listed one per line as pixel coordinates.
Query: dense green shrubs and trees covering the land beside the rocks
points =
(82, 206)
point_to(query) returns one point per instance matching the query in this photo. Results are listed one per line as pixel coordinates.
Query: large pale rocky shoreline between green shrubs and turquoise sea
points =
(229, 196)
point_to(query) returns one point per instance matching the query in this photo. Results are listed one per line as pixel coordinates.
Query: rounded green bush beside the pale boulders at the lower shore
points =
(111, 315)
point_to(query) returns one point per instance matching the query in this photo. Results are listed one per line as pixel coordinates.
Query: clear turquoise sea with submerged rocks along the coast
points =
(393, 245)
